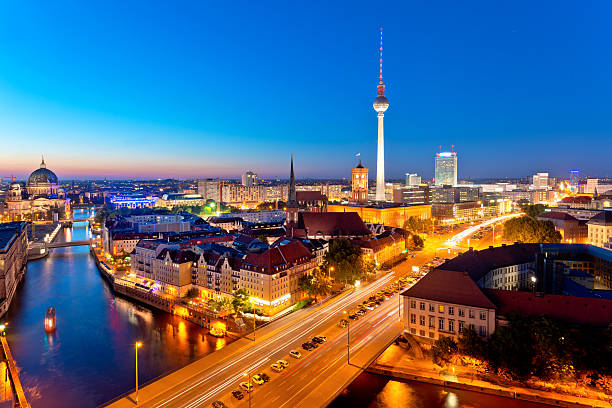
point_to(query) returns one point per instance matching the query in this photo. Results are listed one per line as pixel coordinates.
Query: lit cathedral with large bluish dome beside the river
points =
(41, 198)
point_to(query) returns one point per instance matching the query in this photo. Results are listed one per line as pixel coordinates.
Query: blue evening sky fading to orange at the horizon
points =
(148, 89)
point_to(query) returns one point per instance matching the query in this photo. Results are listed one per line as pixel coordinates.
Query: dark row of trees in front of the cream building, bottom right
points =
(534, 346)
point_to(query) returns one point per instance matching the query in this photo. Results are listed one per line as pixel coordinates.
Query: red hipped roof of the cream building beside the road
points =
(450, 287)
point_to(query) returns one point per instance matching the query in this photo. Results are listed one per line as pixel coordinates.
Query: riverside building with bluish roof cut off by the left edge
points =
(13, 259)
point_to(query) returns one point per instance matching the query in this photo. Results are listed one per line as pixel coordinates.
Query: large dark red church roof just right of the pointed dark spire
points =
(333, 224)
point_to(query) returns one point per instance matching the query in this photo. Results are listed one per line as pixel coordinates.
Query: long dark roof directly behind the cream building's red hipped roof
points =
(479, 263)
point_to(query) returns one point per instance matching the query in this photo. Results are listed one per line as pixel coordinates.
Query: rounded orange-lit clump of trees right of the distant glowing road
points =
(527, 229)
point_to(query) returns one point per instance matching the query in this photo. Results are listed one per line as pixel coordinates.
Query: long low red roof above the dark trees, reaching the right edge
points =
(597, 312)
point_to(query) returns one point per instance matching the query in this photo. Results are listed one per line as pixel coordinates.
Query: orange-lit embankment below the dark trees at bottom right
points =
(400, 363)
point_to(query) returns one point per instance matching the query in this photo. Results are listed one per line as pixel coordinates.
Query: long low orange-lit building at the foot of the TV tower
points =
(388, 214)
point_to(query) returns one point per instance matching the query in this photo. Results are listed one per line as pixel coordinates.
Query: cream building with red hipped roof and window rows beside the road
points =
(443, 303)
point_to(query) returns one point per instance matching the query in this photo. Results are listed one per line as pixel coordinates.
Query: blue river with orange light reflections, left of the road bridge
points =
(90, 357)
